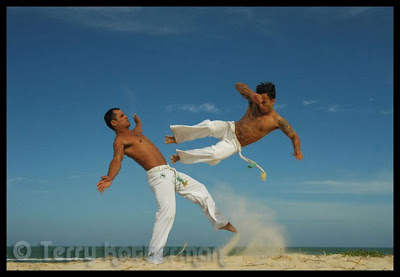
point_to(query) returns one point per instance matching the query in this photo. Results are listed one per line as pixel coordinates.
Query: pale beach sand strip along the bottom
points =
(235, 262)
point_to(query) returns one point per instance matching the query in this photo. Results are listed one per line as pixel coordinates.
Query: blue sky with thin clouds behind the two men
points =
(333, 71)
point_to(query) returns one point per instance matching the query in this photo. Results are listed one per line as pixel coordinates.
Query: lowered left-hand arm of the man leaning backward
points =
(113, 168)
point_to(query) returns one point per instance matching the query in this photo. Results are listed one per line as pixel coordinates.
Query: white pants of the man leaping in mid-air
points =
(222, 130)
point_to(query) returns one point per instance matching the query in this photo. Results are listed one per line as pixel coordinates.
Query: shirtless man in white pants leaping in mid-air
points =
(259, 120)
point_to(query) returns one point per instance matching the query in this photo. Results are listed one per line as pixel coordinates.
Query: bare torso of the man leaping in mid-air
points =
(254, 125)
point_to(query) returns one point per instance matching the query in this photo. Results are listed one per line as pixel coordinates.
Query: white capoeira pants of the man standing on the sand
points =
(163, 181)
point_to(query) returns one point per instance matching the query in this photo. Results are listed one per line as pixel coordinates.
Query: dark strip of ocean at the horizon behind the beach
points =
(88, 253)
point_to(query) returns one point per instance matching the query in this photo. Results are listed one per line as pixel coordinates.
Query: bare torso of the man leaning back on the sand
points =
(139, 148)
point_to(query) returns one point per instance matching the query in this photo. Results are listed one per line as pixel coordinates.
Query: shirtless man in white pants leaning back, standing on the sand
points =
(164, 181)
